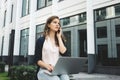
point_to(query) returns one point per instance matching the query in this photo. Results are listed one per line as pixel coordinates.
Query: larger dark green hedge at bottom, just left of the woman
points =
(23, 72)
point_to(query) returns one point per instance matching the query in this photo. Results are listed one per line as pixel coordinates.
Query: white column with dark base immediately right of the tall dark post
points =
(17, 32)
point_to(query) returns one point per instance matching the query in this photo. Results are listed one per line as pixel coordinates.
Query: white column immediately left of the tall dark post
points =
(7, 33)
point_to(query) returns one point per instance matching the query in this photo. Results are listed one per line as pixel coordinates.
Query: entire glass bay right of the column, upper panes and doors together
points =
(107, 28)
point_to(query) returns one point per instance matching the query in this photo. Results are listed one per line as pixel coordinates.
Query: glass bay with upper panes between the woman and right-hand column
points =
(79, 48)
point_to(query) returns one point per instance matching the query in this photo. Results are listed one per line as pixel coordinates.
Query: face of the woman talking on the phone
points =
(54, 25)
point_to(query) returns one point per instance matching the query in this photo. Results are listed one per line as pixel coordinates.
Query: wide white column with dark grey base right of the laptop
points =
(90, 37)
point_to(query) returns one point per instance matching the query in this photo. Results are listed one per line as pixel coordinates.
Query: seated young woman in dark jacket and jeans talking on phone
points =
(48, 49)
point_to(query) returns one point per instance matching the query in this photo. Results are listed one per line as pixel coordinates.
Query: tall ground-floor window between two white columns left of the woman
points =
(24, 42)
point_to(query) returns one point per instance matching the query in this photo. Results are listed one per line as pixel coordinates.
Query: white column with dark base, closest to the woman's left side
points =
(32, 32)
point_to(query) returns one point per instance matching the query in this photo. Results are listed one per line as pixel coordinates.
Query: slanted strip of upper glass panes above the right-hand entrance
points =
(107, 12)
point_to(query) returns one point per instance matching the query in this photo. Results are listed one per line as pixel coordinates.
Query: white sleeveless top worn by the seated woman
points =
(50, 52)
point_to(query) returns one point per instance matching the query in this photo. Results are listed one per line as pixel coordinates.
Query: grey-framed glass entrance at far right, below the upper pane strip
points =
(108, 42)
